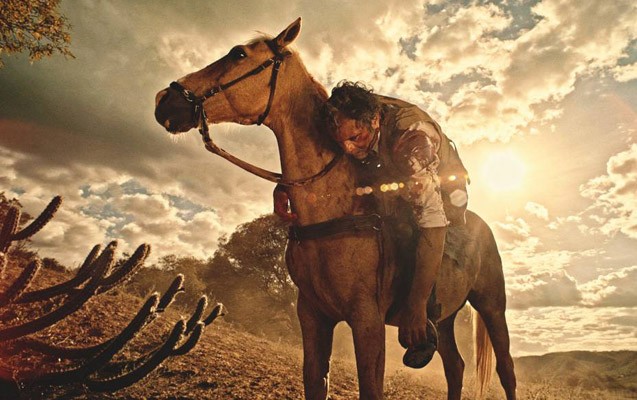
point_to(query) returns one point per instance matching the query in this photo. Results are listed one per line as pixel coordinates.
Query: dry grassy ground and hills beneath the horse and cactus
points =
(229, 363)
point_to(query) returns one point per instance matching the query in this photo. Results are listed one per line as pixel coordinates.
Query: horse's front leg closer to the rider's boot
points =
(368, 330)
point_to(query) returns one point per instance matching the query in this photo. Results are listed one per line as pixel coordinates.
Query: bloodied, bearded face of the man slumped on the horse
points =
(354, 136)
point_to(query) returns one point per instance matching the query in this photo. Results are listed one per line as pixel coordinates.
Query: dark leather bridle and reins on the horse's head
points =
(200, 117)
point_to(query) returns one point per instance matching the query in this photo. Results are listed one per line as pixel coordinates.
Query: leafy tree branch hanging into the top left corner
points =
(34, 26)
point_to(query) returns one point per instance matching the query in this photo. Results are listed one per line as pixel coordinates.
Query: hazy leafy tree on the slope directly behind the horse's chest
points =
(248, 274)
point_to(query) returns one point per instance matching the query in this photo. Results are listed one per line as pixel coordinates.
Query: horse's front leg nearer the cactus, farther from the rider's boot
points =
(318, 332)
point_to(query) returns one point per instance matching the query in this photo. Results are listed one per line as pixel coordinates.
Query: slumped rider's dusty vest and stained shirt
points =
(412, 145)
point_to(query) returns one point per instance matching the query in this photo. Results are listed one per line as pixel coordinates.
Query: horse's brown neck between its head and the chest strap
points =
(304, 151)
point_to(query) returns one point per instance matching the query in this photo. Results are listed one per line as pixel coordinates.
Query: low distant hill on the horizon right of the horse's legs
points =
(614, 370)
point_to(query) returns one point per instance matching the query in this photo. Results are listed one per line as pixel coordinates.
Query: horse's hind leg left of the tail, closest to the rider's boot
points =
(451, 358)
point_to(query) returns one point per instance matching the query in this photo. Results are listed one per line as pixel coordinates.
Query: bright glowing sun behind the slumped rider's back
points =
(504, 171)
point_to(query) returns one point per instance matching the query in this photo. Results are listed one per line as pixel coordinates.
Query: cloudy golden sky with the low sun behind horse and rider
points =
(540, 97)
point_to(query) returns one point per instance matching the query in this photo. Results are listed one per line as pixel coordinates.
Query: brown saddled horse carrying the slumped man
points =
(337, 275)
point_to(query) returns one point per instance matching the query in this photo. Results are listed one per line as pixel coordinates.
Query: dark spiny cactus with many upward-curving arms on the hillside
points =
(95, 276)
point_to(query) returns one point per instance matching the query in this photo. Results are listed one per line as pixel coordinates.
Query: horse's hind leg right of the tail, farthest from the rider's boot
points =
(491, 308)
